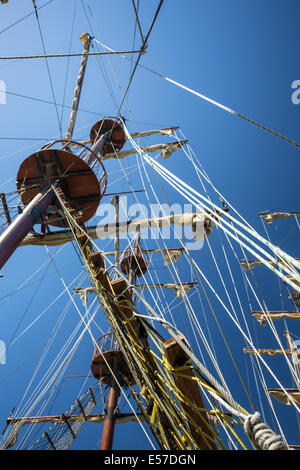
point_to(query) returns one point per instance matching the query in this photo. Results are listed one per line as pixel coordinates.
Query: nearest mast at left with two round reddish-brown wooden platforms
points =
(52, 167)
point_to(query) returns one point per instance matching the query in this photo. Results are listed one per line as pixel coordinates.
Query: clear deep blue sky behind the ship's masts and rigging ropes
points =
(242, 54)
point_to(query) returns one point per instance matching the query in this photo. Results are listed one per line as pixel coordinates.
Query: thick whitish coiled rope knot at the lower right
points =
(261, 436)
